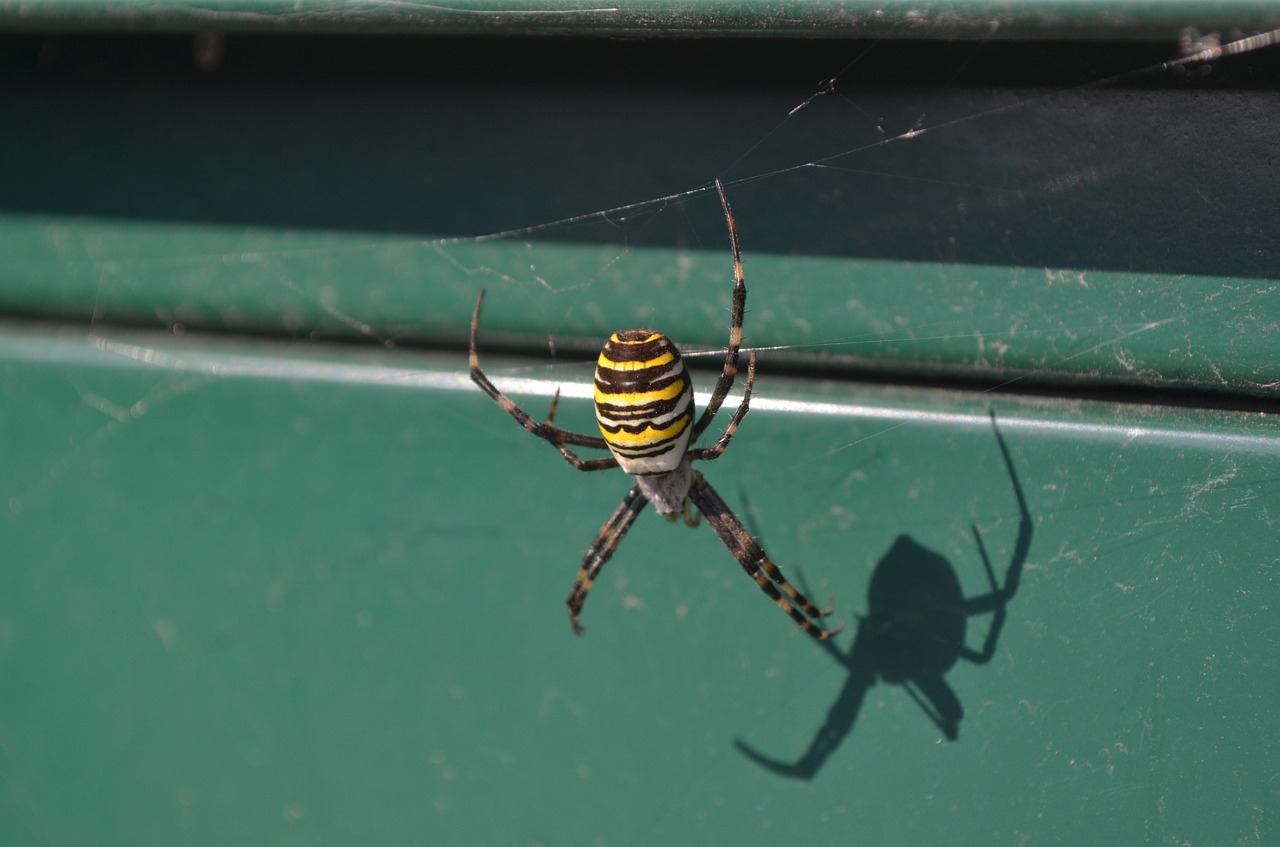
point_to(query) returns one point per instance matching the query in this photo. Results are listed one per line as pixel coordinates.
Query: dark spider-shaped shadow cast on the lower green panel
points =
(913, 635)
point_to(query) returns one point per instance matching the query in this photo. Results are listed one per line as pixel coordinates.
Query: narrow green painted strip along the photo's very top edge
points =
(860, 19)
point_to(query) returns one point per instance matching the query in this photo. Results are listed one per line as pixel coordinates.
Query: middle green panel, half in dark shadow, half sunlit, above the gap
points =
(1085, 217)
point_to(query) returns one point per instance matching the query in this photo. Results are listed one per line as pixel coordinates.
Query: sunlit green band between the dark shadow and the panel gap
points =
(990, 324)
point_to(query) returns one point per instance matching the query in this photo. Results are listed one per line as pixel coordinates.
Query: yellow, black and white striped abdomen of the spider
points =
(644, 401)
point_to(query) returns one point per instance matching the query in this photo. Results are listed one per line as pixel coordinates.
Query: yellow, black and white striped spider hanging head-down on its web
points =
(644, 406)
